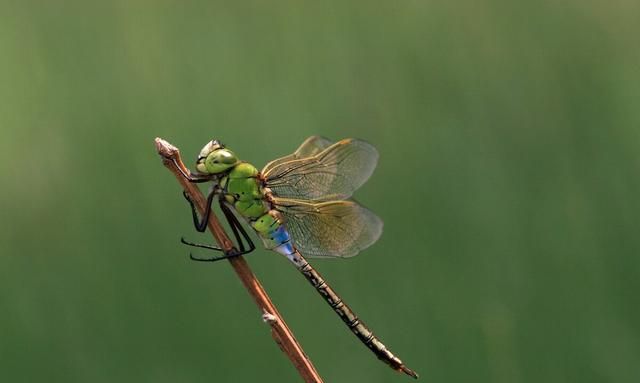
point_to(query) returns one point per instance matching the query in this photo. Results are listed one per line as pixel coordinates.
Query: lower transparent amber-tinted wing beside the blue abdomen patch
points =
(330, 228)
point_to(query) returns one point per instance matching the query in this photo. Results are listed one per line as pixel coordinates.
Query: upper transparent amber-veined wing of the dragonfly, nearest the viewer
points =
(332, 174)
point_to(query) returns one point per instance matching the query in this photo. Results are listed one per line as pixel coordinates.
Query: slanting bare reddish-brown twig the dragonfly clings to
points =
(279, 329)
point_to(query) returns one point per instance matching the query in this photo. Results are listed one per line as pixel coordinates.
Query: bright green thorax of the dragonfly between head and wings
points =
(242, 189)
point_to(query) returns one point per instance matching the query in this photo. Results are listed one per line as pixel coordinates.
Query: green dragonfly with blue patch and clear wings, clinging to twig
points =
(298, 204)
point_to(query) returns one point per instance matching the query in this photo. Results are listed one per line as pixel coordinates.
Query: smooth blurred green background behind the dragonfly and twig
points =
(508, 183)
